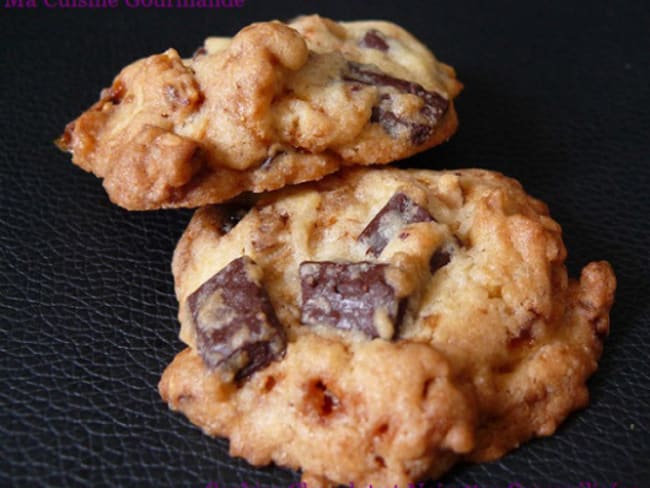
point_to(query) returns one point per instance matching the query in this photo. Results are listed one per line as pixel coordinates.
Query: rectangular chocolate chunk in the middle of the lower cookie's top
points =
(349, 296)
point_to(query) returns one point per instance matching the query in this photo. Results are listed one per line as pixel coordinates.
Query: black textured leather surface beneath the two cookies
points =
(557, 95)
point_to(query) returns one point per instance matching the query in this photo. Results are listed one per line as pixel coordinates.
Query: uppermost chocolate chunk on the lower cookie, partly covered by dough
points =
(398, 212)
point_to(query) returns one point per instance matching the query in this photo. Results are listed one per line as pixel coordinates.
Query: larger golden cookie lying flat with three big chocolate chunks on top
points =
(398, 322)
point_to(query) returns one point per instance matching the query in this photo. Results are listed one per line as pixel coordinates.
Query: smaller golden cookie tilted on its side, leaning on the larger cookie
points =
(278, 104)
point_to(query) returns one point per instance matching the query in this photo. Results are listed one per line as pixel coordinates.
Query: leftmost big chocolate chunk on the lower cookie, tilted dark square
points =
(236, 327)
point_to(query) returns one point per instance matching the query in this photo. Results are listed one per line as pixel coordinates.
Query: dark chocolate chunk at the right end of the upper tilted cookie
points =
(435, 105)
